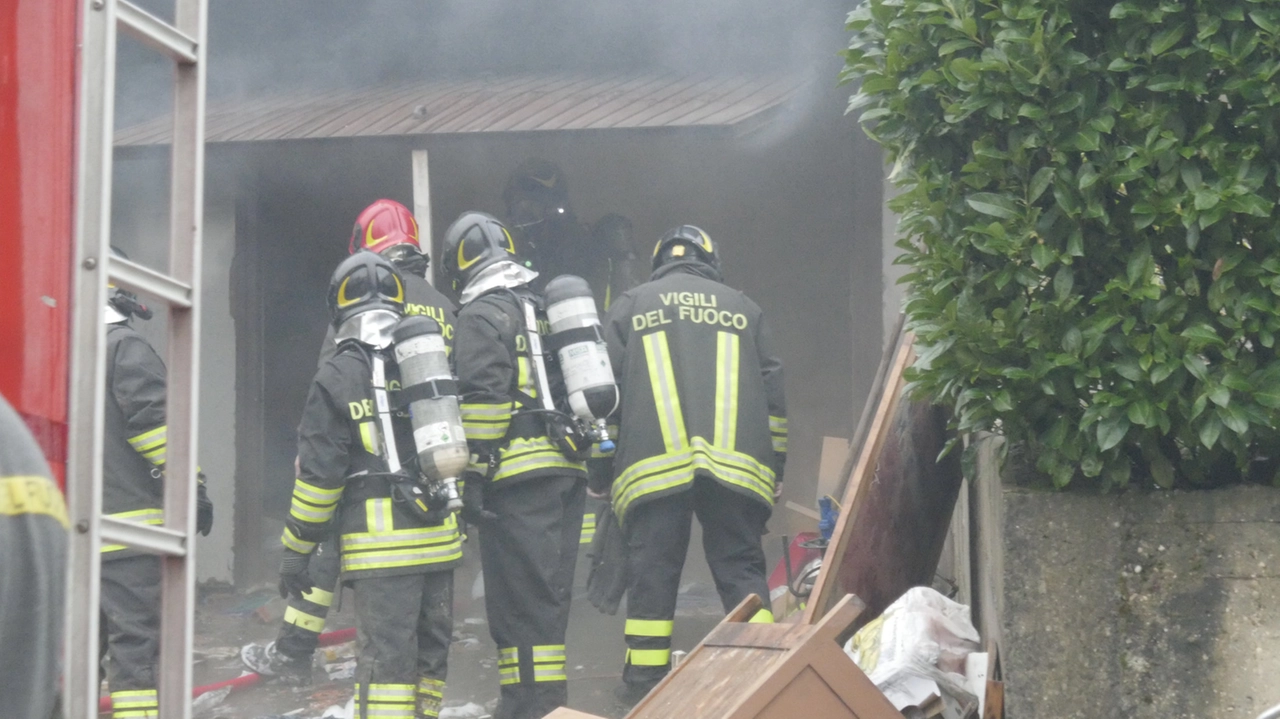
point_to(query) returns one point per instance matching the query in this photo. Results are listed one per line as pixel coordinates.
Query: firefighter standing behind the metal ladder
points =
(134, 460)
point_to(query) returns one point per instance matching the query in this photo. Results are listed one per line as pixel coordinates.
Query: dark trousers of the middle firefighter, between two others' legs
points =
(528, 557)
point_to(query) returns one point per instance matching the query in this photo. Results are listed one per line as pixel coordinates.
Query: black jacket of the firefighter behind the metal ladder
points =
(135, 436)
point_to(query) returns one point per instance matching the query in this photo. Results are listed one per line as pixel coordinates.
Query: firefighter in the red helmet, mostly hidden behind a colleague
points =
(390, 230)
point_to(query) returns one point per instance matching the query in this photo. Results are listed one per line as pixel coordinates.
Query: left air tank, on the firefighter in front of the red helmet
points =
(432, 395)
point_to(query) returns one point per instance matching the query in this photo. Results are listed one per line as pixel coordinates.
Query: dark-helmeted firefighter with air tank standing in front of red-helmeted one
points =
(399, 562)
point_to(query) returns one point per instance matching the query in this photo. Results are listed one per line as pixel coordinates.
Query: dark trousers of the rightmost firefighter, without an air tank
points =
(657, 534)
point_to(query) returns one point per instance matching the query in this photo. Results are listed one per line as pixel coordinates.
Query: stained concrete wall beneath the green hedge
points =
(1136, 606)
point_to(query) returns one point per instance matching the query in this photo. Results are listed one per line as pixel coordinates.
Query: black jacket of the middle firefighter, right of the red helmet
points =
(497, 383)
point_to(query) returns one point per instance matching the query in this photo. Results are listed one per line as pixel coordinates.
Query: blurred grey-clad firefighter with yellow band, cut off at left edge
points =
(33, 571)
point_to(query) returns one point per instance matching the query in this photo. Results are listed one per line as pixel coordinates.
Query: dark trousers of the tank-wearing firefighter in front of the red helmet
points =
(404, 628)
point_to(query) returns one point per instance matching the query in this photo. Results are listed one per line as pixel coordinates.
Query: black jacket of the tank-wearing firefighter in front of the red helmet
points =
(340, 445)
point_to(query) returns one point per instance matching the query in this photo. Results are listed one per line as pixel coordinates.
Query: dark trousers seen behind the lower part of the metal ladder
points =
(130, 634)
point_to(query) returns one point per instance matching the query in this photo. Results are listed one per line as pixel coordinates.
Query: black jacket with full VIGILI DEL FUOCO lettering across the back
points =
(702, 390)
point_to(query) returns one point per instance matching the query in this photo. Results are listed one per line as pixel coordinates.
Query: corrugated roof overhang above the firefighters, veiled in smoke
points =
(527, 103)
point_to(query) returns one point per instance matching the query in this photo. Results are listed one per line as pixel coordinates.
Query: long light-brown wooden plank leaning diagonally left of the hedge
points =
(860, 483)
